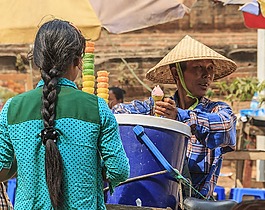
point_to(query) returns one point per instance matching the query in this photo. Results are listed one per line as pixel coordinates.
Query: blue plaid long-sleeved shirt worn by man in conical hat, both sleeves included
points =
(214, 133)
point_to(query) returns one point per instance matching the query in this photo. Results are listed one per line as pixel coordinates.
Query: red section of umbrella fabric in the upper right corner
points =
(254, 21)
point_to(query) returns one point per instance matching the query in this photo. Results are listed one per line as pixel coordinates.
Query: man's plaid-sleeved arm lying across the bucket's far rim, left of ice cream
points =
(134, 107)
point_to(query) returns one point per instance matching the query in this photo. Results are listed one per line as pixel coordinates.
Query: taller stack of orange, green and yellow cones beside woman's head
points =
(88, 68)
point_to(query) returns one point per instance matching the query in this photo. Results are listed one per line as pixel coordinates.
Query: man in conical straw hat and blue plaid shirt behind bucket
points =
(193, 66)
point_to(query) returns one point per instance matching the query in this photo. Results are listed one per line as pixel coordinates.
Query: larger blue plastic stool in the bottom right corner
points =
(237, 194)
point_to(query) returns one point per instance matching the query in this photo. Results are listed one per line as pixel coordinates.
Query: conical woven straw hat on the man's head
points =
(190, 49)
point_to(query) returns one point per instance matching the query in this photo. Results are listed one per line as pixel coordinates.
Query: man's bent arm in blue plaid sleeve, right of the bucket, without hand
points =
(214, 124)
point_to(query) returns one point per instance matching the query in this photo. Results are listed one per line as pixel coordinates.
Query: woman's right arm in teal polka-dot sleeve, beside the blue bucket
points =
(111, 149)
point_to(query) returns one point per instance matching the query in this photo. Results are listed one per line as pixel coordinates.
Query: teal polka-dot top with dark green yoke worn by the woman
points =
(88, 136)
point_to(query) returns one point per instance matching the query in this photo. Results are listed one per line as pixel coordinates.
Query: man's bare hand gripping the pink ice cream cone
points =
(166, 108)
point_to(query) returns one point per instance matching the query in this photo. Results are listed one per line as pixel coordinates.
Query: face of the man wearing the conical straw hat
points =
(198, 76)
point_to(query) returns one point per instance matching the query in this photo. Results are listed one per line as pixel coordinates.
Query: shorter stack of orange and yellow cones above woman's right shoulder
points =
(103, 85)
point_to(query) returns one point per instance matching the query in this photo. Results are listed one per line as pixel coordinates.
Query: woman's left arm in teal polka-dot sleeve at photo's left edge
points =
(8, 166)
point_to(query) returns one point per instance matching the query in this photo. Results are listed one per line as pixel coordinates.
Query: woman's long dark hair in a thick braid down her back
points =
(57, 46)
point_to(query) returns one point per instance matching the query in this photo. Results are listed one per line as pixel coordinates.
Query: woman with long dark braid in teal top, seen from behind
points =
(57, 138)
